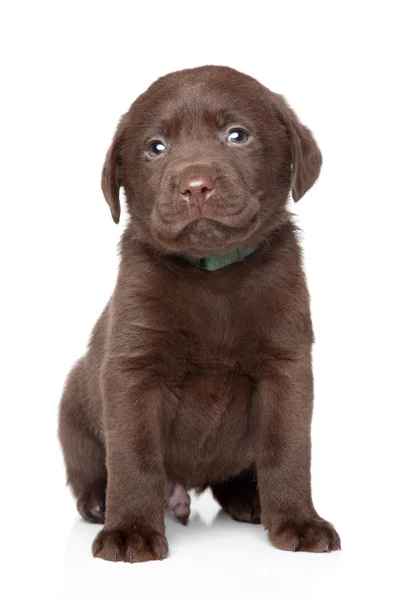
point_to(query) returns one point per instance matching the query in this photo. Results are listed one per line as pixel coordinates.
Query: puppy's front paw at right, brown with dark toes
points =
(314, 535)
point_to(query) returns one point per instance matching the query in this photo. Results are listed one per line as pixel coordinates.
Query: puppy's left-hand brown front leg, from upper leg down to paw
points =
(135, 442)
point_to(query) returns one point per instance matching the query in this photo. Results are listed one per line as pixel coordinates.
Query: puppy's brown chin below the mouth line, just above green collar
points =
(206, 237)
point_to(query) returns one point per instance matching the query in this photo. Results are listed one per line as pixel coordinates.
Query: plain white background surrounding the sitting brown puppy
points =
(68, 71)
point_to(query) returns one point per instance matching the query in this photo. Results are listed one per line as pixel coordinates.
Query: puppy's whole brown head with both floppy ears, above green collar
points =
(207, 158)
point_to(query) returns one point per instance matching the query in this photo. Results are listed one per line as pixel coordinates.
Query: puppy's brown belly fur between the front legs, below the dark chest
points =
(210, 420)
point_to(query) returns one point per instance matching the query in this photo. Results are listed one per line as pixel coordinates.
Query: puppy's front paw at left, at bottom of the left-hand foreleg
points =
(136, 544)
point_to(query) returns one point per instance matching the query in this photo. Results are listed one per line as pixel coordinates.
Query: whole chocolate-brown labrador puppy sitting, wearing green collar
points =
(198, 372)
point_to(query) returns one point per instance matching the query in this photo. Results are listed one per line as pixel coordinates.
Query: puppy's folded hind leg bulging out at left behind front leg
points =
(84, 453)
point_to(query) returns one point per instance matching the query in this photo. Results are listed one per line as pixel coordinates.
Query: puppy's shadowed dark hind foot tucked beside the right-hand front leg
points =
(239, 496)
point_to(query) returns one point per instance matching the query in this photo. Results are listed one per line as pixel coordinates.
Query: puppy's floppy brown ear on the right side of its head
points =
(306, 156)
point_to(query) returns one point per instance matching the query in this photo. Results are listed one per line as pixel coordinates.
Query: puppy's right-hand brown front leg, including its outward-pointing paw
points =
(284, 410)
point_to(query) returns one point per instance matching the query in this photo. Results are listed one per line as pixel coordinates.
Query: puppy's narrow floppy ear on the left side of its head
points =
(111, 177)
